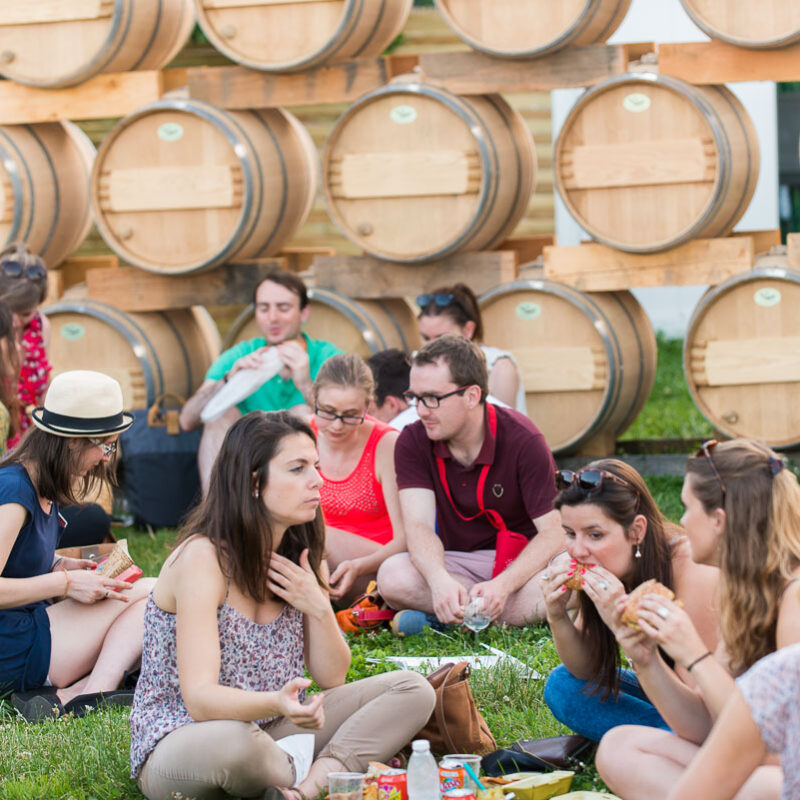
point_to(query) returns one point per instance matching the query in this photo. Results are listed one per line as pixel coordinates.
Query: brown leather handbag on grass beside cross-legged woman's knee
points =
(456, 725)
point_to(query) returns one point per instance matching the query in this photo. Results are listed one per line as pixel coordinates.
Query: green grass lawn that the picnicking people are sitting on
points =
(88, 758)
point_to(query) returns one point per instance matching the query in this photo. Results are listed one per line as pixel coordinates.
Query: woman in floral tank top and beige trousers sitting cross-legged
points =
(239, 613)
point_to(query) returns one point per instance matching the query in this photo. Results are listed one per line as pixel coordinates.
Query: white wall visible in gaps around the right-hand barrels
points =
(666, 21)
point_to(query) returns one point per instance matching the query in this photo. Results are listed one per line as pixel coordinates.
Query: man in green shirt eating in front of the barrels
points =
(281, 306)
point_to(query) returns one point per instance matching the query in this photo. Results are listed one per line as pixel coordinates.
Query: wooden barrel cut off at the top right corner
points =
(747, 23)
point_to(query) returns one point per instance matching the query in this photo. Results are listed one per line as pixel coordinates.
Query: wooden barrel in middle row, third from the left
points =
(412, 173)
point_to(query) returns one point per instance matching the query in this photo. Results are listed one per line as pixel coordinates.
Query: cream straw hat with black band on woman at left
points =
(83, 404)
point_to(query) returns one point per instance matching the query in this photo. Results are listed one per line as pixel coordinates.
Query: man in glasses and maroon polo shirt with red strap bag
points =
(477, 484)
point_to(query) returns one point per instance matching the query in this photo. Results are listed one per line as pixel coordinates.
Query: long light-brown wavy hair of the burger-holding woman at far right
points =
(760, 546)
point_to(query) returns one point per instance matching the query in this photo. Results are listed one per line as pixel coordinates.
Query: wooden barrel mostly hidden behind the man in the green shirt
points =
(365, 326)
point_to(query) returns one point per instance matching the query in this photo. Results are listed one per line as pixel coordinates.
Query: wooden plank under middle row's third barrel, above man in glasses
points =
(368, 278)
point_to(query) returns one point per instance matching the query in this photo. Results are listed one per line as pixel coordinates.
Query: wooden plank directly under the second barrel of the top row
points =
(241, 88)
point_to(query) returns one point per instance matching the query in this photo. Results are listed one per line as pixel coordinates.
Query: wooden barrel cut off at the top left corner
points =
(65, 42)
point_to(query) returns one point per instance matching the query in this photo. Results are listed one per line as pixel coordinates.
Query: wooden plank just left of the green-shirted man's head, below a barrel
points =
(132, 289)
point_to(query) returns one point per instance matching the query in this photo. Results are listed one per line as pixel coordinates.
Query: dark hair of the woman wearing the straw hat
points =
(54, 462)
